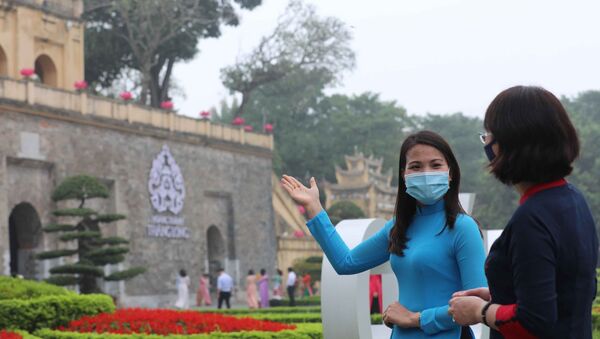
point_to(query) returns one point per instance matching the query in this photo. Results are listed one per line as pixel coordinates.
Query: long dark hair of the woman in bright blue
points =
(406, 206)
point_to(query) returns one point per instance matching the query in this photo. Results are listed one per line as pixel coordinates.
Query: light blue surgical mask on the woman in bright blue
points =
(427, 187)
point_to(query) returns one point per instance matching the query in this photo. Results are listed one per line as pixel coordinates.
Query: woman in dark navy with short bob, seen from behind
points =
(542, 269)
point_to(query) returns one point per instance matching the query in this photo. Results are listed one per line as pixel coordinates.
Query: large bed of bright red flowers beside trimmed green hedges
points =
(164, 322)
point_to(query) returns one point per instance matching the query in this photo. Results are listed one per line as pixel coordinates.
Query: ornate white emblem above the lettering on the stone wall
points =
(165, 183)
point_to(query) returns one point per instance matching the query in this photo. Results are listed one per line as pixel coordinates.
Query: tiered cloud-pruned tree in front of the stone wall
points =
(93, 251)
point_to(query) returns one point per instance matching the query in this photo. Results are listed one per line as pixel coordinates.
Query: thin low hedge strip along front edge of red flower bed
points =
(304, 331)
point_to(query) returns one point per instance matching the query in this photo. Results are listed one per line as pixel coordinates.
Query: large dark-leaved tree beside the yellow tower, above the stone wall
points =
(117, 39)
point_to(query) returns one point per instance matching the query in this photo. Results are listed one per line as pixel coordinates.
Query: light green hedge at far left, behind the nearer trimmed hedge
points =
(15, 288)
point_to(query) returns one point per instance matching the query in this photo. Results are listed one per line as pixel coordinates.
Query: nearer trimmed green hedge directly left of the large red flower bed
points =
(51, 311)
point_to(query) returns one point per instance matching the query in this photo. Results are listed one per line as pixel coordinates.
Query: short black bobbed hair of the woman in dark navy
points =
(536, 139)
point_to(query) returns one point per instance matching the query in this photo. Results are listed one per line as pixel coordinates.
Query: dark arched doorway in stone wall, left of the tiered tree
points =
(24, 231)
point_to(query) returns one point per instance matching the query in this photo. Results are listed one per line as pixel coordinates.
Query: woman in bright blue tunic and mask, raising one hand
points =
(434, 248)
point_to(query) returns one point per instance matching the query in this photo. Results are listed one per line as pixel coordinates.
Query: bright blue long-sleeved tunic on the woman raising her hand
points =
(437, 262)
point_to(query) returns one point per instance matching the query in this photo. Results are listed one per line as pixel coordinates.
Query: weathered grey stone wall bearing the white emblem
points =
(227, 185)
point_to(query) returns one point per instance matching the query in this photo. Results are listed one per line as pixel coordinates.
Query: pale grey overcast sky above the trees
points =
(437, 56)
